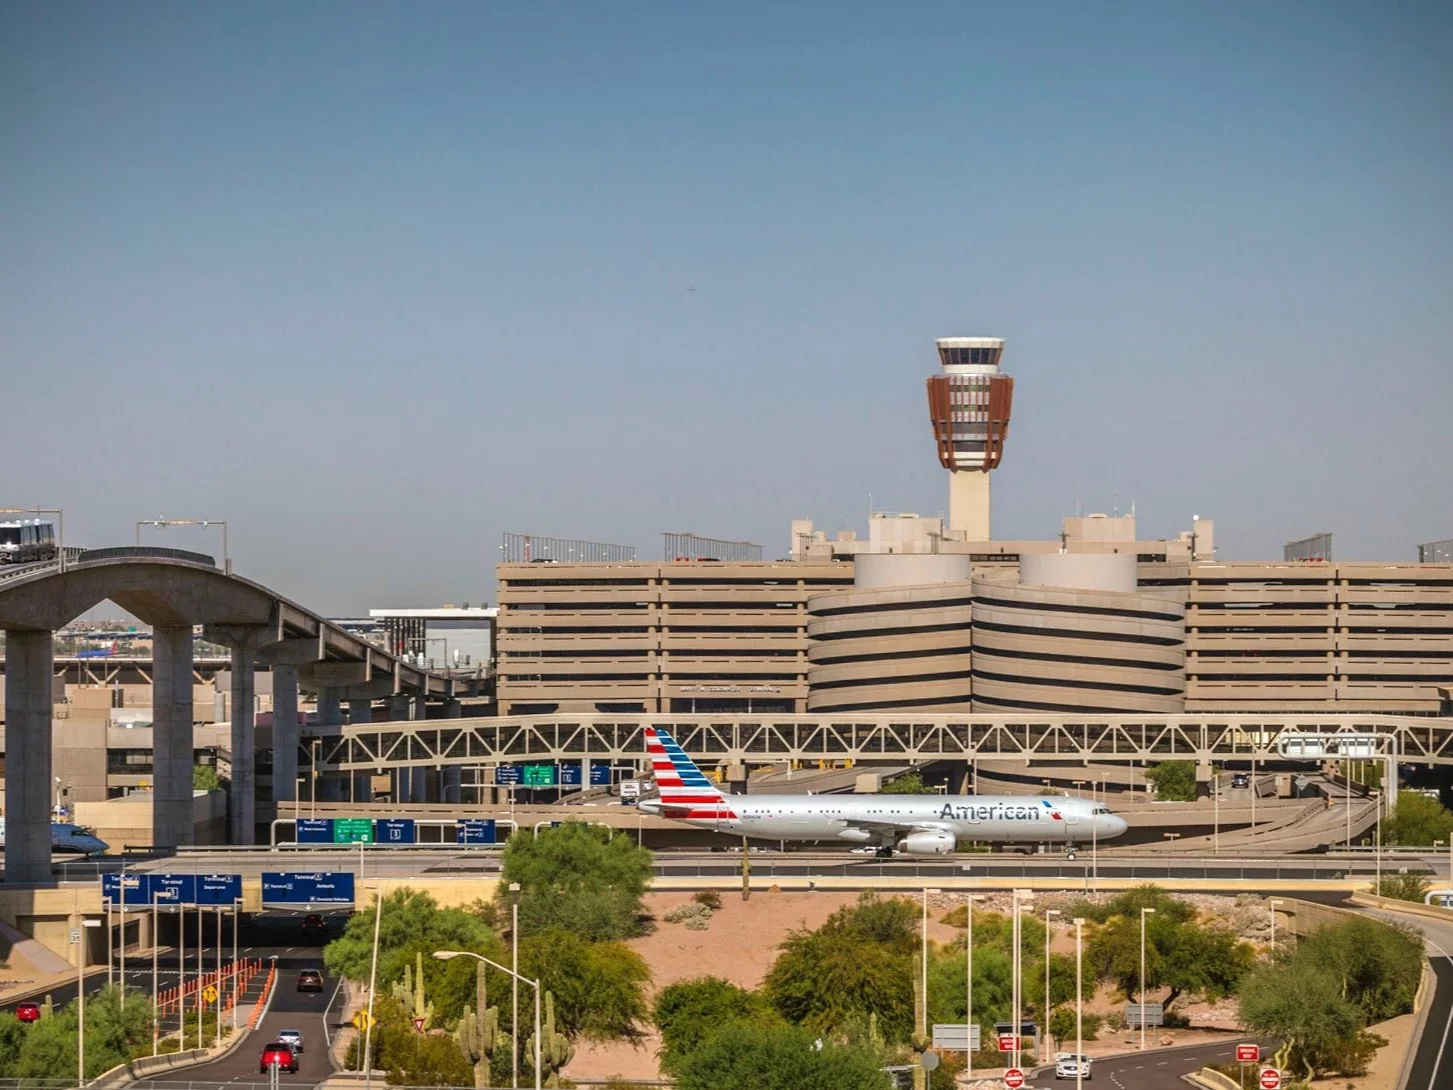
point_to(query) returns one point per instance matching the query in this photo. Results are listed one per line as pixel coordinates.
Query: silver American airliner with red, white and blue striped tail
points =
(913, 825)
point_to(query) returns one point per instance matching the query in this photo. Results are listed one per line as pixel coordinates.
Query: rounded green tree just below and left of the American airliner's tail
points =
(579, 879)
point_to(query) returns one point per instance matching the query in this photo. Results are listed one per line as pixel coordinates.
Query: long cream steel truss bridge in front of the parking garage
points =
(766, 739)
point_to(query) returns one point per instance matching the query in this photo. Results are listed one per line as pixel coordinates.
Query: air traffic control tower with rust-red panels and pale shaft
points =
(968, 408)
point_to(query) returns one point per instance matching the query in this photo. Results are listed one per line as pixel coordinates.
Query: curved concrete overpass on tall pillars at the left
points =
(172, 592)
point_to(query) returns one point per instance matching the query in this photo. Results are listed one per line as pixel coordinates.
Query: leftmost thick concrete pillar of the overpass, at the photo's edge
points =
(28, 756)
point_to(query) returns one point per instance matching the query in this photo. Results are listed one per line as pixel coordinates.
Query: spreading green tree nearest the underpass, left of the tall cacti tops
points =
(413, 924)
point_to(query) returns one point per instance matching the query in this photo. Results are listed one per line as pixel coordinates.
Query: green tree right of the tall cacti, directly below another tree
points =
(599, 988)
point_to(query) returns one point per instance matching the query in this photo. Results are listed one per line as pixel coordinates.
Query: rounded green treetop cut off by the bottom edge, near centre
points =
(777, 1057)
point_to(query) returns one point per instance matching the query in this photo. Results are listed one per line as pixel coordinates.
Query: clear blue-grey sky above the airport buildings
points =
(380, 283)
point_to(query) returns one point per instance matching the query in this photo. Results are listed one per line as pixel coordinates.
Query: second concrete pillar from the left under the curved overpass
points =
(172, 820)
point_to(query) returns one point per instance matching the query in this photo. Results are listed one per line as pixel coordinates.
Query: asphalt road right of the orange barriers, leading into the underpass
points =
(291, 1009)
